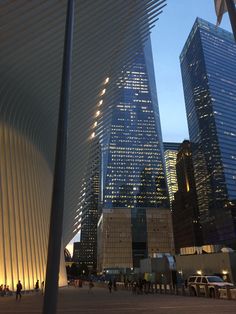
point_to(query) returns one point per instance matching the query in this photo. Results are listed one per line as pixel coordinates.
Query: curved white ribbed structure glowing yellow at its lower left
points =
(106, 34)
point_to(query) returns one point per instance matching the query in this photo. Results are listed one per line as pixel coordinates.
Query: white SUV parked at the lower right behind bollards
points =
(210, 281)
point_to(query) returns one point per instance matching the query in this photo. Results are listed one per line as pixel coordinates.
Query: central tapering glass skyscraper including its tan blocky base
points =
(135, 221)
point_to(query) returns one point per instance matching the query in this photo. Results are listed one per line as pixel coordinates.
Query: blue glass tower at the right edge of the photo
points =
(209, 80)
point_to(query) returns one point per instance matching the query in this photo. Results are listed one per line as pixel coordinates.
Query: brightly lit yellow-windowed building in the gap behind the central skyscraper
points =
(170, 155)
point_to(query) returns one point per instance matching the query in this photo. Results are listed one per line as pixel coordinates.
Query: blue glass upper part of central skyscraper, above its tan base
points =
(133, 173)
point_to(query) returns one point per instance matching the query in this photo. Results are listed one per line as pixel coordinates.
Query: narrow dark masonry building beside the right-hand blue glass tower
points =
(185, 212)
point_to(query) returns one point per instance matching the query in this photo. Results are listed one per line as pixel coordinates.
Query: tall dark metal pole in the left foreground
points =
(56, 220)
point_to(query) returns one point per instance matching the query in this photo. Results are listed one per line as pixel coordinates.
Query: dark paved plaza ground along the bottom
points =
(100, 301)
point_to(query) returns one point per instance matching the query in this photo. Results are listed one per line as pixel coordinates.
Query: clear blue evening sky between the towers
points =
(168, 38)
